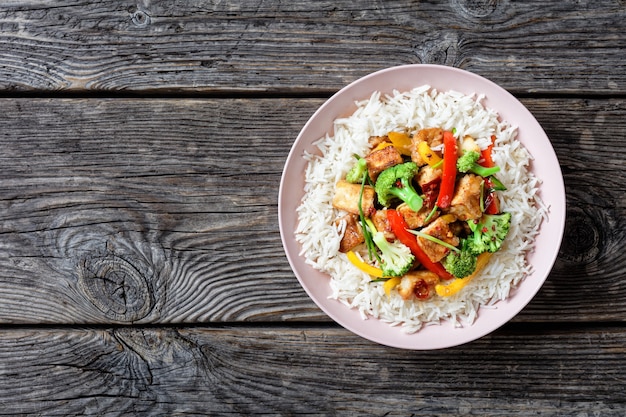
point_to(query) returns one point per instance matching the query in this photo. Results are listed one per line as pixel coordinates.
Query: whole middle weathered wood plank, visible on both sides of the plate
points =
(164, 211)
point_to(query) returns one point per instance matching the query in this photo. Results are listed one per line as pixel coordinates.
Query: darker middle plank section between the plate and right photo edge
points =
(590, 267)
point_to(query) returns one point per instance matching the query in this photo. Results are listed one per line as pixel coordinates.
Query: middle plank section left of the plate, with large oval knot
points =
(130, 211)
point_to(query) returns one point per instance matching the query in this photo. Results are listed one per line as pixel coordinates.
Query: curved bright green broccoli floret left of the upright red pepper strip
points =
(397, 182)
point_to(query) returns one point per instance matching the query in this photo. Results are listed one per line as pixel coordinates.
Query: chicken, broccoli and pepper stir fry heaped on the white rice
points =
(422, 212)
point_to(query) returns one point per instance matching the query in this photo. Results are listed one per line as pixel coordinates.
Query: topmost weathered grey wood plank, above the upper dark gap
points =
(303, 46)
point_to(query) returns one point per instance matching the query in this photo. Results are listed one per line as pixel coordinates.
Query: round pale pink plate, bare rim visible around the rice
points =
(545, 166)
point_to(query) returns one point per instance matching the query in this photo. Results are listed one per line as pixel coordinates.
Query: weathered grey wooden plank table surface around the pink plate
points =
(141, 267)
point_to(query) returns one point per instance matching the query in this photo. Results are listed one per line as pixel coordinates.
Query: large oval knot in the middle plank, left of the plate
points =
(116, 288)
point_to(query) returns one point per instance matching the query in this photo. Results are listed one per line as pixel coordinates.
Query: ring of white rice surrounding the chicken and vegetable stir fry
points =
(419, 108)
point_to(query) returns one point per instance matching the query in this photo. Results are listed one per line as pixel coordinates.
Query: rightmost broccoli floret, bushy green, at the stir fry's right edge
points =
(489, 232)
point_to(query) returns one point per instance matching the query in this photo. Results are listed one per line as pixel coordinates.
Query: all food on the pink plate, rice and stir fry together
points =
(421, 207)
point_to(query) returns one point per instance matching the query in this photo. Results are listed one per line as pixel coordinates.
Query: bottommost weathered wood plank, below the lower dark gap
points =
(320, 371)
